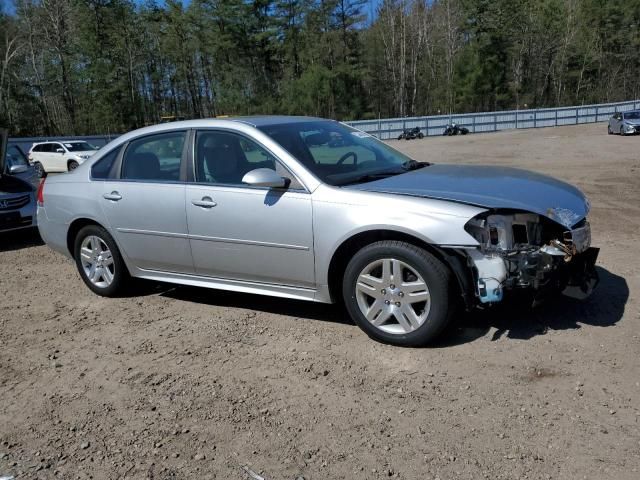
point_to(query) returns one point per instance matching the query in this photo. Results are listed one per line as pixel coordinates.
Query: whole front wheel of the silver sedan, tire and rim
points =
(398, 293)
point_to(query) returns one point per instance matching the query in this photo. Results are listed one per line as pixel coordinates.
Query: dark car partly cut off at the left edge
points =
(17, 192)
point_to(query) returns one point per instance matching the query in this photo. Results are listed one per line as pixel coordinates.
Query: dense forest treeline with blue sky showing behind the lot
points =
(104, 66)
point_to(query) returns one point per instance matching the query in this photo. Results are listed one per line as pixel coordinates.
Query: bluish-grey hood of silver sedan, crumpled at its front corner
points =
(490, 187)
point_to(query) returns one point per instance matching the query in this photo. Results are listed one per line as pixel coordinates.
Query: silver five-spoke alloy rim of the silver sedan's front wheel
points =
(393, 296)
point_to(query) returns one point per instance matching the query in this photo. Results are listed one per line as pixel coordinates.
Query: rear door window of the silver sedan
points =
(154, 158)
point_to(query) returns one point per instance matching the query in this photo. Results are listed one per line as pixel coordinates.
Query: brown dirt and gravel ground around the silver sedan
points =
(194, 383)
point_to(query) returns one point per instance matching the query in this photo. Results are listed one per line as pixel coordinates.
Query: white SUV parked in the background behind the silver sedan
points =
(64, 156)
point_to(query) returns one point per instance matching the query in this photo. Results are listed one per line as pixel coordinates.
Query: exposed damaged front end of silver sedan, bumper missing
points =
(521, 250)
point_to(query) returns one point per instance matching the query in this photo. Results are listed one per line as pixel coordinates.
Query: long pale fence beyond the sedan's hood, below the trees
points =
(494, 121)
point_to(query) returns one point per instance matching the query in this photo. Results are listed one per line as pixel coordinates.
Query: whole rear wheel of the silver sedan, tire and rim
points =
(99, 261)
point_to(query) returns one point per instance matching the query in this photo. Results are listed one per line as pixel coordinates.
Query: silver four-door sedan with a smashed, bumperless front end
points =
(248, 205)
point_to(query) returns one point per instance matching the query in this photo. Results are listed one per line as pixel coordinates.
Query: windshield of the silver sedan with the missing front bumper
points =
(338, 154)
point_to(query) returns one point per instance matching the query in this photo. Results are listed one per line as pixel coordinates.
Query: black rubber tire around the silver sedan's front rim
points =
(435, 274)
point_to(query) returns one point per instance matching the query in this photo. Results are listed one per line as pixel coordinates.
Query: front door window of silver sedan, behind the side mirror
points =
(225, 158)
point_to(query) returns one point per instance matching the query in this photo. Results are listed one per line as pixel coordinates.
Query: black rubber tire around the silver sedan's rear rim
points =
(120, 275)
